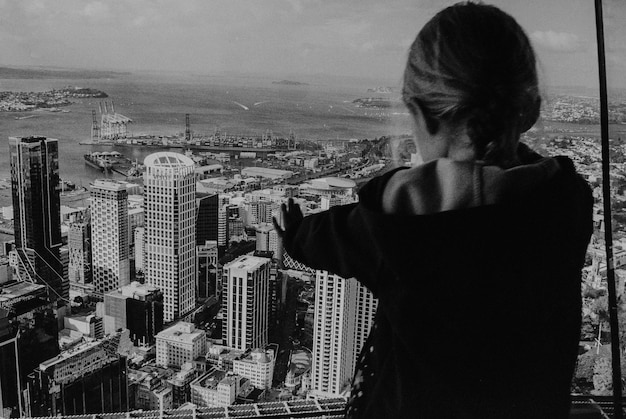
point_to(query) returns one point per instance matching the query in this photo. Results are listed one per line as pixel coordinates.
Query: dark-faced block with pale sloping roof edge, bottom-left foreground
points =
(91, 378)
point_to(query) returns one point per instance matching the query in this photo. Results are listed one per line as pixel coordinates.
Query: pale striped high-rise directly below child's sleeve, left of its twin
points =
(333, 333)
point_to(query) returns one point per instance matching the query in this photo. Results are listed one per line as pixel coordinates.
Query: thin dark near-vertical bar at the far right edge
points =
(608, 232)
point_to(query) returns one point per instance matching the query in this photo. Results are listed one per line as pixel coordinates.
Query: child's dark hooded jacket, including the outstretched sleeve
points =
(479, 302)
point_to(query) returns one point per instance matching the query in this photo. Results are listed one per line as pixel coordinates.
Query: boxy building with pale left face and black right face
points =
(136, 307)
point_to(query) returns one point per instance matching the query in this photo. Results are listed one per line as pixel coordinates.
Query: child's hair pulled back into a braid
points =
(474, 62)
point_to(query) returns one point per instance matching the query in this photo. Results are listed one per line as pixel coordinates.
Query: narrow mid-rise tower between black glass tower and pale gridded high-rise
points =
(79, 243)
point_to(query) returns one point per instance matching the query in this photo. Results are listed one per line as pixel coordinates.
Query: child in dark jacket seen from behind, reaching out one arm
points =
(475, 255)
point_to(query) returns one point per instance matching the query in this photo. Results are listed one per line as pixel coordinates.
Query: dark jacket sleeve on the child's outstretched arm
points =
(336, 241)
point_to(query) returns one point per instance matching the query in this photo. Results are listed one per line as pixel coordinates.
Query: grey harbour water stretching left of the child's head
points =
(158, 103)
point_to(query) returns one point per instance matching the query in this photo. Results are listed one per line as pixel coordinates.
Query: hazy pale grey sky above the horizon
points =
(365, 38)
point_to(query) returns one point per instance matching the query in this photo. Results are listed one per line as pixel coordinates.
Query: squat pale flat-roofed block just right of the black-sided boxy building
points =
(179, 344)
